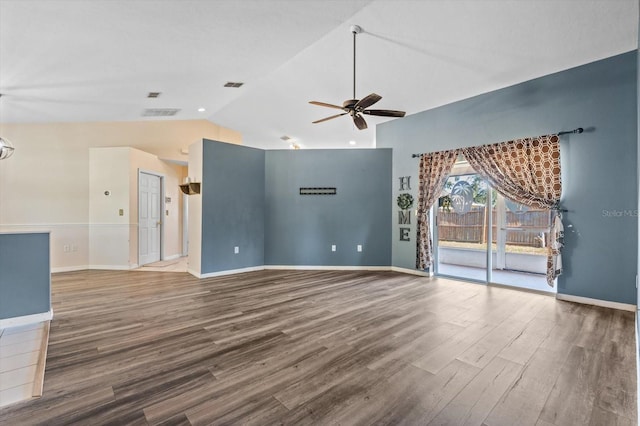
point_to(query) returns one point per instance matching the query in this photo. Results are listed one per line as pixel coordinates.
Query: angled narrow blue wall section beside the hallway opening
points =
(232, 207)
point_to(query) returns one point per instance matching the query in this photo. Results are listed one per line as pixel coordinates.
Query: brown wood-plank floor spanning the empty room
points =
(318, 347)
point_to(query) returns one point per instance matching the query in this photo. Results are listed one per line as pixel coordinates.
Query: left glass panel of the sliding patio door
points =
(462, 228)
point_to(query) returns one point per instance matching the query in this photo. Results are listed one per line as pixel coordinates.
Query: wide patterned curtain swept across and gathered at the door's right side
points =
(526, 171)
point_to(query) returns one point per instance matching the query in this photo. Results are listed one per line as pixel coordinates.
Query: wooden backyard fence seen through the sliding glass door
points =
(472, 227)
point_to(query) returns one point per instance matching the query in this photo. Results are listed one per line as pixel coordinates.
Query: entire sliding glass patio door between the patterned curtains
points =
(484, 237)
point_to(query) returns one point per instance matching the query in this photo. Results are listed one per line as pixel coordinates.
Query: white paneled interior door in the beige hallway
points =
(149, 217)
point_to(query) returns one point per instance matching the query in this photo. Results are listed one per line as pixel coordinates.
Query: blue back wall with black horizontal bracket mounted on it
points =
(300, 229)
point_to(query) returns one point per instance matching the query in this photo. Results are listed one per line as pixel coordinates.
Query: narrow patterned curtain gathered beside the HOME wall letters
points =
(434, 169)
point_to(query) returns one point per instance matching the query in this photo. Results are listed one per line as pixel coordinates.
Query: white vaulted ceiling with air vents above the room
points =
(96, 60)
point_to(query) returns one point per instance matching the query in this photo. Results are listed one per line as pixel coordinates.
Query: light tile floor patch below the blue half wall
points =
(19, 354)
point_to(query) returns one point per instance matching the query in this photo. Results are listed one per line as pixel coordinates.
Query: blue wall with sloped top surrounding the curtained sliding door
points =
(599, 167)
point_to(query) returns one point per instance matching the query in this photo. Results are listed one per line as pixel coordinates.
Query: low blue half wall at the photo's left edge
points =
(25, 277)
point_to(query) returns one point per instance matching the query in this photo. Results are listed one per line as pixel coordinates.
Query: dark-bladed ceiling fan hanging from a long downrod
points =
(356, 107)
